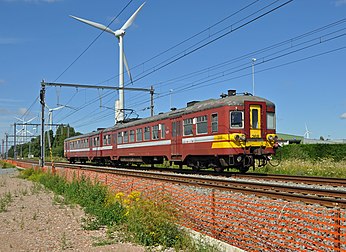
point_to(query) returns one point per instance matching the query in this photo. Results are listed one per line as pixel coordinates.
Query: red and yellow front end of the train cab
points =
(252, 134)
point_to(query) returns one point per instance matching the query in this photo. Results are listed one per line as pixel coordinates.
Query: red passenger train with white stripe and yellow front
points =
(231, 132)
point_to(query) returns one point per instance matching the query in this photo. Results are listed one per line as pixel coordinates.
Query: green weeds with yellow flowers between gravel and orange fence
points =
(126, 217)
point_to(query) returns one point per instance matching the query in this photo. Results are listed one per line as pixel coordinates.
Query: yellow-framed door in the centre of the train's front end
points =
(255, 119)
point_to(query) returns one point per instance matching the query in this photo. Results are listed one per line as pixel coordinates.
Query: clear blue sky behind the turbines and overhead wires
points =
(304, 76)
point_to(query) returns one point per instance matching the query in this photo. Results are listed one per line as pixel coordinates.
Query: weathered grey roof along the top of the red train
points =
(196, 106)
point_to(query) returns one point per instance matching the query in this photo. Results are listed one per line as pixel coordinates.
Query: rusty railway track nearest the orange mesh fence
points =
(326, 197)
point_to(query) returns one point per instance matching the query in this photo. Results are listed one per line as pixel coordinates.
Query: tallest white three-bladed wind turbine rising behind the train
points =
(119, 114)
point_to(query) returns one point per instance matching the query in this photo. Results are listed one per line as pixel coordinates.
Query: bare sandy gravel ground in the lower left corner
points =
(33, 221)
